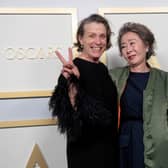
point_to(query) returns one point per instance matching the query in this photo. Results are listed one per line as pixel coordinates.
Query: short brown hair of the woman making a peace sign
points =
(90, 19)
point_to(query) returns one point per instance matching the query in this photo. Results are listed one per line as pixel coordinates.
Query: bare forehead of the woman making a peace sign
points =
(94, 27)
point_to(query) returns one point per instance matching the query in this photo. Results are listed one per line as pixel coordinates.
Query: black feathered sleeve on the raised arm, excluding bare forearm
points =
(87, 111)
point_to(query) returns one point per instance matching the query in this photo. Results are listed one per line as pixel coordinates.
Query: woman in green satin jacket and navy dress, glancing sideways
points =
(143, 99)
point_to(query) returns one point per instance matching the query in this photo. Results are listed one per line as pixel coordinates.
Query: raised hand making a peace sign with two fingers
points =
(68, 66)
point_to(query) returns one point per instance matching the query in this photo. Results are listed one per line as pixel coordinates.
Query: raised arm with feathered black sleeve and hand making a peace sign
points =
(71, 104)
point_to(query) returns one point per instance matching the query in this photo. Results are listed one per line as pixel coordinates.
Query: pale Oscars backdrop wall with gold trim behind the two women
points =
(29, 137)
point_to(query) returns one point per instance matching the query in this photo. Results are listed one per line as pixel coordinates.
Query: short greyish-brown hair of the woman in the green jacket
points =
(142, 31)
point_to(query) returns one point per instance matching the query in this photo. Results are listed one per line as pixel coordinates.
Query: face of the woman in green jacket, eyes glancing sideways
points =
(133, 49)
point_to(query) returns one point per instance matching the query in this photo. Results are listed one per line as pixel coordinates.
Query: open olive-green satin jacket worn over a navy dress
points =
(155, 114)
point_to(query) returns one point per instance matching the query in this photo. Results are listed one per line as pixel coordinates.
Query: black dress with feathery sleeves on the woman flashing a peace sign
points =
(92, 128)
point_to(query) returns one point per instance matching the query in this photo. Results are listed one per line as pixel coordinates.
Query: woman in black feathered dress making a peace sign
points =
(85, 99)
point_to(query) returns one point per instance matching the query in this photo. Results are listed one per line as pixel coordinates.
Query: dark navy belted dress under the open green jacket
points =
(131, 130)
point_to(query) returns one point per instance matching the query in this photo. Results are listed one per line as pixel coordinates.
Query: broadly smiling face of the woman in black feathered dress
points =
(94, 41)
